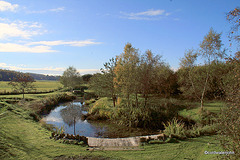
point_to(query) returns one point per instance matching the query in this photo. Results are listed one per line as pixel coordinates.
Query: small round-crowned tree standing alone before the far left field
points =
(22, 83)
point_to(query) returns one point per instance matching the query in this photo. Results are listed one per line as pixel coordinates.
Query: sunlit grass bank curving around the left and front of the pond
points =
(23, 138)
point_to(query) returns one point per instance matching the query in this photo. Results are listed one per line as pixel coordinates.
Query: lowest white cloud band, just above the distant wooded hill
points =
(45, 70)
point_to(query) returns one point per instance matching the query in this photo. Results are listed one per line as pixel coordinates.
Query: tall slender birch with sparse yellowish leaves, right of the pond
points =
(198, 76)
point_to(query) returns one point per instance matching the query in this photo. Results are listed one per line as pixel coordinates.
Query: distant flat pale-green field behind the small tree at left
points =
(40, 86)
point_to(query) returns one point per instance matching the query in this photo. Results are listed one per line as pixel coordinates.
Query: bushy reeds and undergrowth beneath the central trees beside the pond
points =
(132, 116)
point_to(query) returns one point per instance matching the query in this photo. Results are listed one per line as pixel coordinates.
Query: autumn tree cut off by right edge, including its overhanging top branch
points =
(229, 119)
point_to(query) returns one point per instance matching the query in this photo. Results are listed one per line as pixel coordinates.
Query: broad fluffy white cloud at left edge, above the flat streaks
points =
(20, 29)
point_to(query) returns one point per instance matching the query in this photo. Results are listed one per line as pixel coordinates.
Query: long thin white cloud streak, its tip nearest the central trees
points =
(70, 43)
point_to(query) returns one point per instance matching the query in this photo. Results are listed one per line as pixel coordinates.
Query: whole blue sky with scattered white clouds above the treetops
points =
(47, 37)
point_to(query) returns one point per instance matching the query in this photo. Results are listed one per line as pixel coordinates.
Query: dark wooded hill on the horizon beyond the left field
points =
(7, 75)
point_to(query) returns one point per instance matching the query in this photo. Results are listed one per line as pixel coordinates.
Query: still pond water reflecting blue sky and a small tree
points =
(68, 115)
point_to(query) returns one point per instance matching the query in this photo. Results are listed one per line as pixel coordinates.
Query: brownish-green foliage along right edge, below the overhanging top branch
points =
(229, 119)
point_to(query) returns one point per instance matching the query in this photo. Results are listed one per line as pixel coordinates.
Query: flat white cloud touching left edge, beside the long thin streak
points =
(12, 47)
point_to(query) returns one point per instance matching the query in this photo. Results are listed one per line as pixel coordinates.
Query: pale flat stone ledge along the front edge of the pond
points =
(122, 142)
